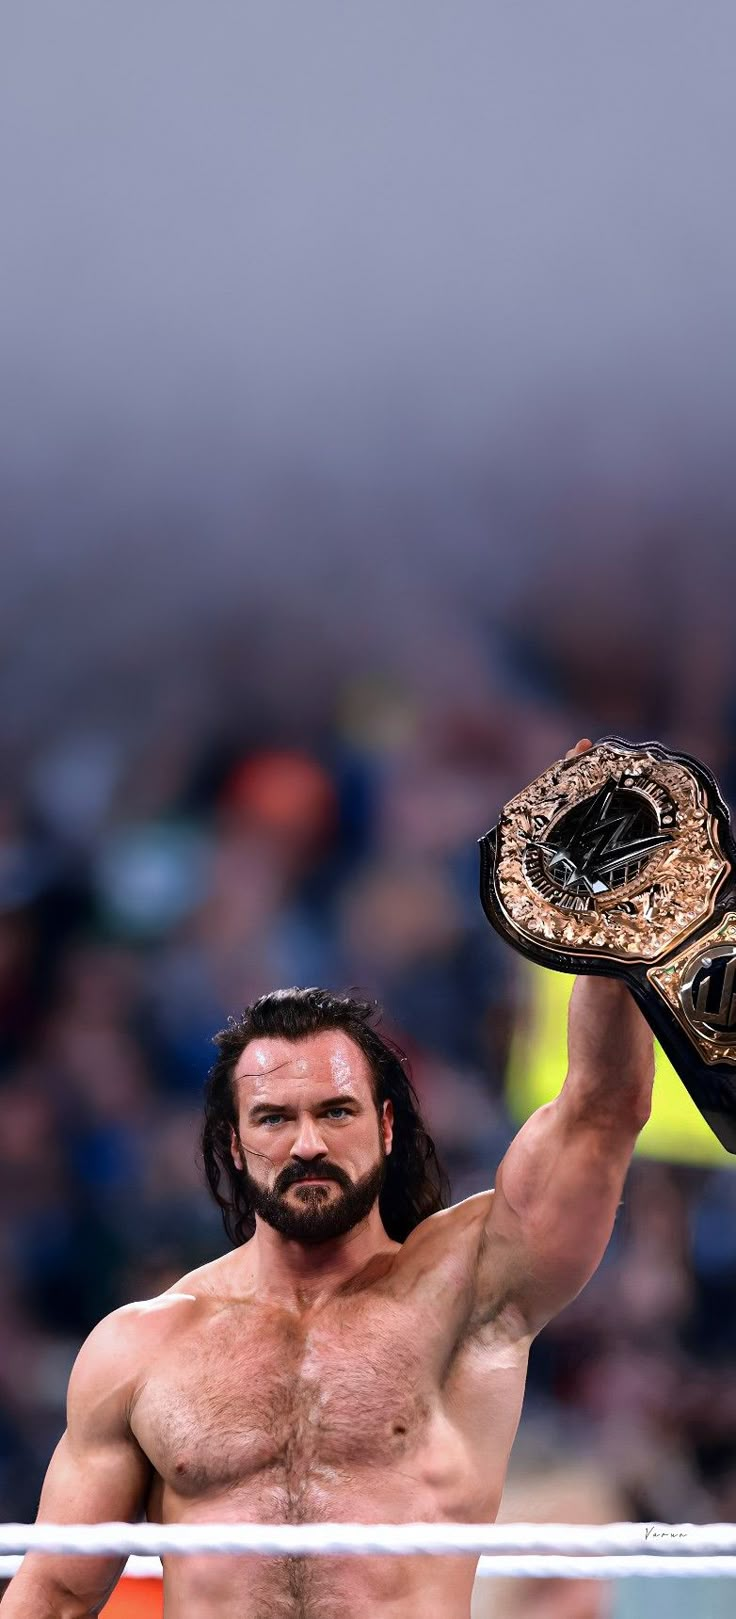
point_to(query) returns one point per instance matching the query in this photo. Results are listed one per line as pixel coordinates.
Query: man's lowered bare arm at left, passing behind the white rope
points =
(98, 1474)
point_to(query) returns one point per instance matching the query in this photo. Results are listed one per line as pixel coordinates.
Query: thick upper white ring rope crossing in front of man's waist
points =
(661, 1540)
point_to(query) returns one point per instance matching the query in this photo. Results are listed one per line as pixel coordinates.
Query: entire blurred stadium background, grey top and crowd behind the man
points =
(366, 438)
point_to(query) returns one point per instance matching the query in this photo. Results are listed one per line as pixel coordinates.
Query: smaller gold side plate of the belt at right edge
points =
(700, 988)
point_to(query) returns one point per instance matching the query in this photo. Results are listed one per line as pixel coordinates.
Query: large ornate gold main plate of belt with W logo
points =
(658, 888)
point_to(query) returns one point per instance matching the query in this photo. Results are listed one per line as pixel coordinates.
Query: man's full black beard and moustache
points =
(315, 1213)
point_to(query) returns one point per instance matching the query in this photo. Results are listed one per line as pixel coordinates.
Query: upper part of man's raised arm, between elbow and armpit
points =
(554, 1209)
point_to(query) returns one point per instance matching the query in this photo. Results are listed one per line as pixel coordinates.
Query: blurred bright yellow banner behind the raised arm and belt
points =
(539, 1060)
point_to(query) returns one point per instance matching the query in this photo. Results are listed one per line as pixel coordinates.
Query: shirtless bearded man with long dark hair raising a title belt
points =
(326, 1369)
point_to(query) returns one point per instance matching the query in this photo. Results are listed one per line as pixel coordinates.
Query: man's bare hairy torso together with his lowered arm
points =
(386, 1401)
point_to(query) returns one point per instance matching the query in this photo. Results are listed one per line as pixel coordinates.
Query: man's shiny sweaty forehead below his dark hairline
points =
(329, 1058)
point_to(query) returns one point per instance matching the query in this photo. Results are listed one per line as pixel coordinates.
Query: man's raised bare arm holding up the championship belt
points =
(560, 1181)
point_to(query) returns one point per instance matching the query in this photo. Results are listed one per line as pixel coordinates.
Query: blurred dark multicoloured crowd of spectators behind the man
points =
(154, 878)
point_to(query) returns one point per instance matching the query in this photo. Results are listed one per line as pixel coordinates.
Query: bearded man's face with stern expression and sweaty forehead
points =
(310, 1141)
